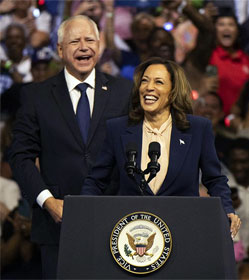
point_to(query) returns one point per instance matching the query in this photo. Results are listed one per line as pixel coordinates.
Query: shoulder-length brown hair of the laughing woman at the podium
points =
(179, 99)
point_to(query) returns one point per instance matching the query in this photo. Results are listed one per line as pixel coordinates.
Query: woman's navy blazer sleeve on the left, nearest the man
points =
(100, 176)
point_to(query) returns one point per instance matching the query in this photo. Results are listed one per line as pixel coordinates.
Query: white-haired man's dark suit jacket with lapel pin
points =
(46, 128)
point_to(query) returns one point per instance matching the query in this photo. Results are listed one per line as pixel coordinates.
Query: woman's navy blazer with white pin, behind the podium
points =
(190, 151)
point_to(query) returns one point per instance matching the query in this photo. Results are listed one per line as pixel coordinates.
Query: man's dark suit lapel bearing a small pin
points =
(101, 95)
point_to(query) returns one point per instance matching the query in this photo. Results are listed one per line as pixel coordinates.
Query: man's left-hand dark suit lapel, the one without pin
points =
(62, 97)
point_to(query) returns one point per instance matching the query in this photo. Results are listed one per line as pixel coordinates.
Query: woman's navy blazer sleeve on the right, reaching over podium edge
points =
(211, 170)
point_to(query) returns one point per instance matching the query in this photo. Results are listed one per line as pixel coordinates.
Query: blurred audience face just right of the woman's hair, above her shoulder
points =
(209, 106)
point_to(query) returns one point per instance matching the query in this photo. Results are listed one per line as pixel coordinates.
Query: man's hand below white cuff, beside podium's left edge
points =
(55, 208)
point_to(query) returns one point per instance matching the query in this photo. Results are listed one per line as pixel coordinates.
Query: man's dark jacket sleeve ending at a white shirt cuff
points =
(26, 148)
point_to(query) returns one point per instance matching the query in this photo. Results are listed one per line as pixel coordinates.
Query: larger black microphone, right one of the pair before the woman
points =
(154, 154)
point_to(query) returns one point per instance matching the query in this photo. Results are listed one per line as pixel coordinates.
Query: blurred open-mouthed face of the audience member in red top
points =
(226, 31)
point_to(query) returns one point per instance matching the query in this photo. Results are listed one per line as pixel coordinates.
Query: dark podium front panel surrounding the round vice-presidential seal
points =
(202, 247)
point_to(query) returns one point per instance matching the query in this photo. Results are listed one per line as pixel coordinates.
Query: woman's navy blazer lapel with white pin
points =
(179, 146)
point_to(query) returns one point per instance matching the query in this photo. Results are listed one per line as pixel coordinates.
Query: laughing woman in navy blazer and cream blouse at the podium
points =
(161, 112)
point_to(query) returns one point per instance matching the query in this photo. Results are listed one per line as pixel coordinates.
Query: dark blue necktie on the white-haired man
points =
(83, 111)
